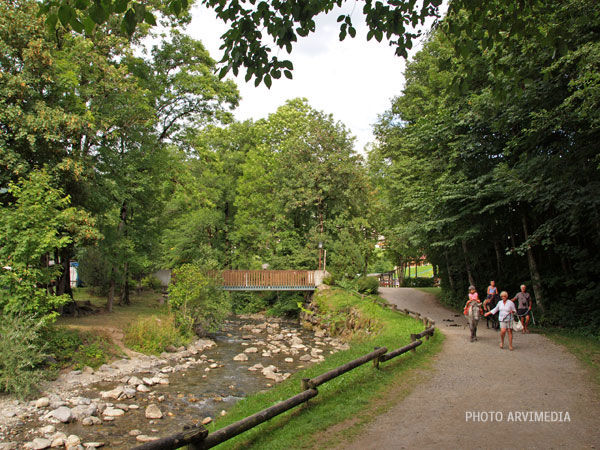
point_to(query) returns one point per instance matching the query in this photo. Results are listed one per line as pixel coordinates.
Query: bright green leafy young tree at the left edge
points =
(38, 222)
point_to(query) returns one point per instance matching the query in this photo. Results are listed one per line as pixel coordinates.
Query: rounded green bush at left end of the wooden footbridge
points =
(196, 301)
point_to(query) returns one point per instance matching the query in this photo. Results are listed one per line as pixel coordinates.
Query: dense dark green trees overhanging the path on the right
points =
(488, 162)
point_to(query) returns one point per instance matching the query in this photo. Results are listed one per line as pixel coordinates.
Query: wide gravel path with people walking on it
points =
(538, 376)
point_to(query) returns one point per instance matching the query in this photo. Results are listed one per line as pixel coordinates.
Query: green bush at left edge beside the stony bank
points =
(22, 352)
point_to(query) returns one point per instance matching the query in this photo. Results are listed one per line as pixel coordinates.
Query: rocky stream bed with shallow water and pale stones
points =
(146, 397)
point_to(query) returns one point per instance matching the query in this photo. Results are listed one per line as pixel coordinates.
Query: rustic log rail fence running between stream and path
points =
(197, 438)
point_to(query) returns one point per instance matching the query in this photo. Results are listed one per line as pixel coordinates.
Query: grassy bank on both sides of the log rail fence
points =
(347, 403)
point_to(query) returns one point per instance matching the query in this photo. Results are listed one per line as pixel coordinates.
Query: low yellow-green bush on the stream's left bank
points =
(151, 335)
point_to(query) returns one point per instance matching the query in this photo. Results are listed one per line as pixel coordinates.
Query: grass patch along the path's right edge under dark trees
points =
(585, 348)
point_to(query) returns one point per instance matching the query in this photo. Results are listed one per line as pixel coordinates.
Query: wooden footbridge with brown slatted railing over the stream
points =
(269, 280)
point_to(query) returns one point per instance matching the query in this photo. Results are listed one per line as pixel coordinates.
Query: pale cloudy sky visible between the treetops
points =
(354, 80)
